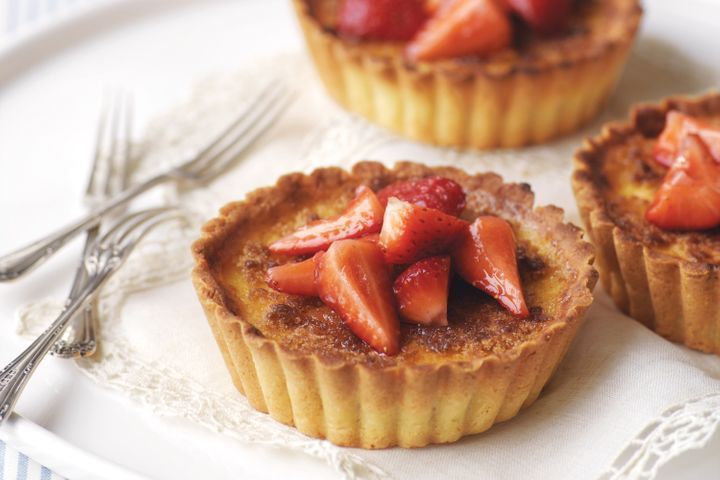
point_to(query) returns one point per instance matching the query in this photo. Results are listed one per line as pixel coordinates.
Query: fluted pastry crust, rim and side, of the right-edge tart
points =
(675, 297)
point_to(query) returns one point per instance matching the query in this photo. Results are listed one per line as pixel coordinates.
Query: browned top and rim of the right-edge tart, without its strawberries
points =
(618, 176)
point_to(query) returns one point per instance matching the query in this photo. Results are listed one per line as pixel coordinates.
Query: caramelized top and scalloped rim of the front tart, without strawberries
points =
(232, 258)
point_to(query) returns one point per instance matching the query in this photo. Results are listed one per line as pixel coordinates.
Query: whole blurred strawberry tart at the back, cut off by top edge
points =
(471, 73)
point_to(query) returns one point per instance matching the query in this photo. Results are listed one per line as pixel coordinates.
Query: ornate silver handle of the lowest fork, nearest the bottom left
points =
(17, 373)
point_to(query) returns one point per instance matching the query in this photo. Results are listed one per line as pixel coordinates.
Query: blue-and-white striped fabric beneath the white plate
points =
(16, 16)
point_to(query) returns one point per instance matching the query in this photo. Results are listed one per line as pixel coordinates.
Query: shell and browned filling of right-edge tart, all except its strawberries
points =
(669, 281)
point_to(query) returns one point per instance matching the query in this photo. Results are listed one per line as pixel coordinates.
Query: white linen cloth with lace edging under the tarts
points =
(623, 402)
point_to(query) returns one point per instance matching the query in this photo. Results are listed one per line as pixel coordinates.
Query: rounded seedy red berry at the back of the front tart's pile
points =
(434, 192)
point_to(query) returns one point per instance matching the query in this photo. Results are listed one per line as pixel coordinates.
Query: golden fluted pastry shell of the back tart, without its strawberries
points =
(502, 102)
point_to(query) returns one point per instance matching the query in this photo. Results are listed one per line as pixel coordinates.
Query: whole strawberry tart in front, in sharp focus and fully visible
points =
(384, 307)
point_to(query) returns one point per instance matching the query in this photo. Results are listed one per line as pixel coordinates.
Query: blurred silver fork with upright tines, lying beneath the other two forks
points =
(109, 175)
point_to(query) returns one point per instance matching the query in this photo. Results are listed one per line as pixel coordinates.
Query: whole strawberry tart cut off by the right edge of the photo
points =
(649, 193)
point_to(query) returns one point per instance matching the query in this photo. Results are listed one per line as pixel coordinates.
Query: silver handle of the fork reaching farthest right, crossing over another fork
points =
(19, 262)
